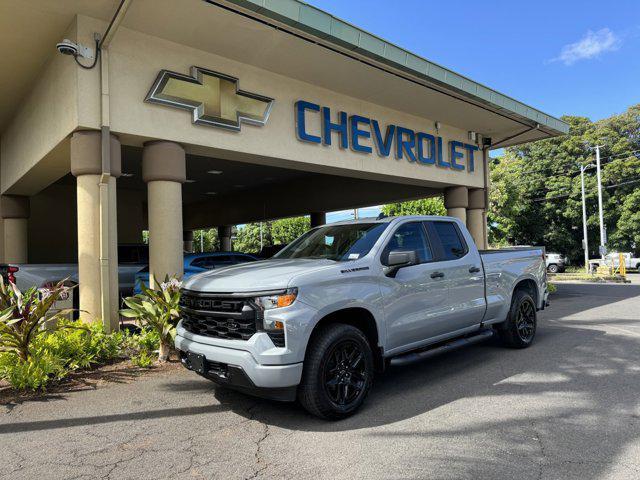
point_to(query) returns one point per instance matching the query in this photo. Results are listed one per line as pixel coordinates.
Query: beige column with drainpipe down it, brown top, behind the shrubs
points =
(97, 224)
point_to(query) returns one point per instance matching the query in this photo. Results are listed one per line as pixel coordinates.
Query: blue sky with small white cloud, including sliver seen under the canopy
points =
(565, 57)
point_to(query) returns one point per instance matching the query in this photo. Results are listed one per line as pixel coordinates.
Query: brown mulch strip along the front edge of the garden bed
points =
(118, 372)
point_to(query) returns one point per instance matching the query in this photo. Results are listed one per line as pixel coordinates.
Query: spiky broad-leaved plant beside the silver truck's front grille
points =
(158, 310)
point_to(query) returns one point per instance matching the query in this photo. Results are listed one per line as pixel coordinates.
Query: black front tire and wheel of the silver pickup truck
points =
(337, 373)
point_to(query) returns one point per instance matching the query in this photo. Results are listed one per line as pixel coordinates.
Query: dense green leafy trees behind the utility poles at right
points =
(535, 196)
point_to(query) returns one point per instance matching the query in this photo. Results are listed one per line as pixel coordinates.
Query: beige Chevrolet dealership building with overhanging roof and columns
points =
(214, 113)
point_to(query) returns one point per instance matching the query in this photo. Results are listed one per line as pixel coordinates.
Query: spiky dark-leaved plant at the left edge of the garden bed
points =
(24, 316)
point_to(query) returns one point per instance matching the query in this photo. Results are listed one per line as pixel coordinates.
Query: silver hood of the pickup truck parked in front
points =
(254, 276)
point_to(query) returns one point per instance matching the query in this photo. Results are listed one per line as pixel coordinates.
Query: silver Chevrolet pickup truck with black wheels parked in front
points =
(346, 300)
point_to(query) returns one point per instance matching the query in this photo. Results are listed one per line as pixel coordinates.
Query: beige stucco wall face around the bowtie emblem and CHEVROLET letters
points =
(136, 59)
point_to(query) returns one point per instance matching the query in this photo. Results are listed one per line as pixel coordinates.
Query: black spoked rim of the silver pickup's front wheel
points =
(345, 373)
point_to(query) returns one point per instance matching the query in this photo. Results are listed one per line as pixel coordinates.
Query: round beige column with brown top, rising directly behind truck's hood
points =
(164, 171)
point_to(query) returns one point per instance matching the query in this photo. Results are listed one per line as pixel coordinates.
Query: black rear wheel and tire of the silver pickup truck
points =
(519, 330)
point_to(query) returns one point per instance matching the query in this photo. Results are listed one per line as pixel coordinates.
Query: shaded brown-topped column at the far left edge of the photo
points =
(15, 215)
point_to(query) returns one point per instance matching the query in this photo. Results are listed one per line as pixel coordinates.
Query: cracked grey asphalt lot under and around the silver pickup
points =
(568, 407)
